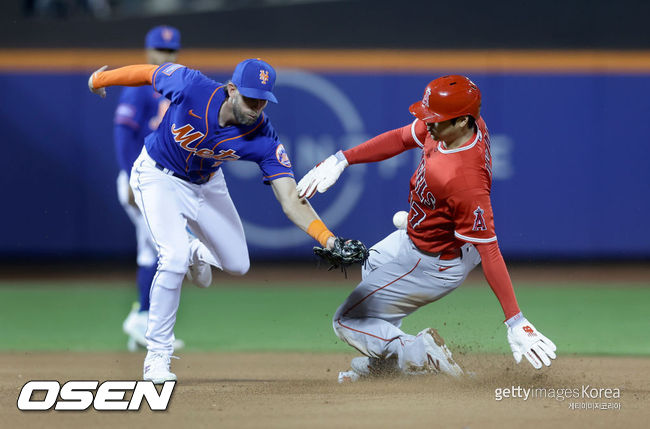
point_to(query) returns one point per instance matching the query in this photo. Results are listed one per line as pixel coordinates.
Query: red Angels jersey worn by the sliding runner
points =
(450, 192)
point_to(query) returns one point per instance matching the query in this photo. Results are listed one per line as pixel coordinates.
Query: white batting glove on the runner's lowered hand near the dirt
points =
(527, 341)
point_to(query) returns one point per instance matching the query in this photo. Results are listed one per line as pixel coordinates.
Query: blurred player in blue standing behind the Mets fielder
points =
(138, 113)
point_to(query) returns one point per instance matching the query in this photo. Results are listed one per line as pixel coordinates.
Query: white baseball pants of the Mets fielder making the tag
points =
(169, 204)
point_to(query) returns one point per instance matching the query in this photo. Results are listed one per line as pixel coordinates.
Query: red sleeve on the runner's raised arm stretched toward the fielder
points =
(384, 146)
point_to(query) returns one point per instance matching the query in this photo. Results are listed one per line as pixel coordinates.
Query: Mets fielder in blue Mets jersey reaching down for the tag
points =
(177, 181)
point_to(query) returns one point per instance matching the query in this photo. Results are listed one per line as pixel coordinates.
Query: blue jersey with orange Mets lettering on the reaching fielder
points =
(189, 140)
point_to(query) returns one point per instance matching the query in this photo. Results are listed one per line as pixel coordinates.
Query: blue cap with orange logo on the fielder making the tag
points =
(255, 78)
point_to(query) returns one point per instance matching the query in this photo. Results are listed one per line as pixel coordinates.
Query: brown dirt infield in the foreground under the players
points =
(293, 390)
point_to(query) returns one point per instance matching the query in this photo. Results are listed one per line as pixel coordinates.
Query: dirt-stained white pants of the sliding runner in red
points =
(397, 280)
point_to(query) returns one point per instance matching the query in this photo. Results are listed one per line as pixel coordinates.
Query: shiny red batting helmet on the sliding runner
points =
(448, 97)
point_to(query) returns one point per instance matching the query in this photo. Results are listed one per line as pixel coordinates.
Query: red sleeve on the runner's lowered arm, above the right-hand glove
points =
(496, 274)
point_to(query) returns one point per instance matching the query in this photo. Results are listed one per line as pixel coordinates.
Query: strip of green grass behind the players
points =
(54, 315)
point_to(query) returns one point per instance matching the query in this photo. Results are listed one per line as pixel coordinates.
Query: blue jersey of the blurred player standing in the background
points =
(138, 114)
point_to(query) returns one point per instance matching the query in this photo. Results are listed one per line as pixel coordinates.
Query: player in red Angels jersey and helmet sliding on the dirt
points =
(450, 230)
